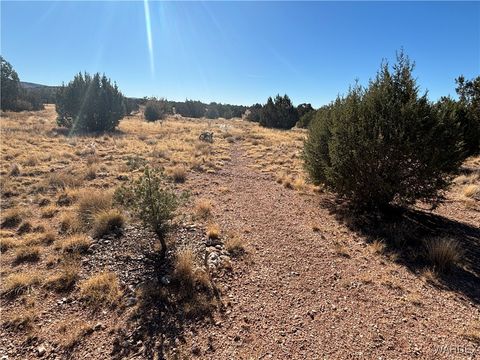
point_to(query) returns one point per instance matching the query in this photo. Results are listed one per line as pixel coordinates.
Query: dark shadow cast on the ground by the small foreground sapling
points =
(167, 308)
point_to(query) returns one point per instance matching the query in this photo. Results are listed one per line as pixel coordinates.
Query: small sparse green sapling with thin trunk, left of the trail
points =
(151, 203)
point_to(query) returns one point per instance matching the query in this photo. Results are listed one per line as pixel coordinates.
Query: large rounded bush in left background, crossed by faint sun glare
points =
(89, 104)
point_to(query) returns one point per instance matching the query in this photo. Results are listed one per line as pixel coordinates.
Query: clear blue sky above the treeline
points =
(240, 52)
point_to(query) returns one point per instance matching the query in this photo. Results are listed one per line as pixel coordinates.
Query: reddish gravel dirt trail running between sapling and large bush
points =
(305, 294)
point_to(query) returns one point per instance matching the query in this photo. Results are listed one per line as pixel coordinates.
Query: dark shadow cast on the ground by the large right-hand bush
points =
(403, 231)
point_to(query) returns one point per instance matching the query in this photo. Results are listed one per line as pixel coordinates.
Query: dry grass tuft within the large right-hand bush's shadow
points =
(442, 253)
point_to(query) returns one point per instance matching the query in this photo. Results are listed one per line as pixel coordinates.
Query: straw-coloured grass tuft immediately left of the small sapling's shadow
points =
(101, 289)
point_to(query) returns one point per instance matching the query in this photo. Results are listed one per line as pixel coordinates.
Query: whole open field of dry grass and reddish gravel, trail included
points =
(275, 267)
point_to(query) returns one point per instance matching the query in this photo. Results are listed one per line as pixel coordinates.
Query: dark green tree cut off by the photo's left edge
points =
(14, 96)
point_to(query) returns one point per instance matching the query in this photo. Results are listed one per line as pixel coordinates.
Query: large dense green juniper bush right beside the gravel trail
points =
(384, 144)
